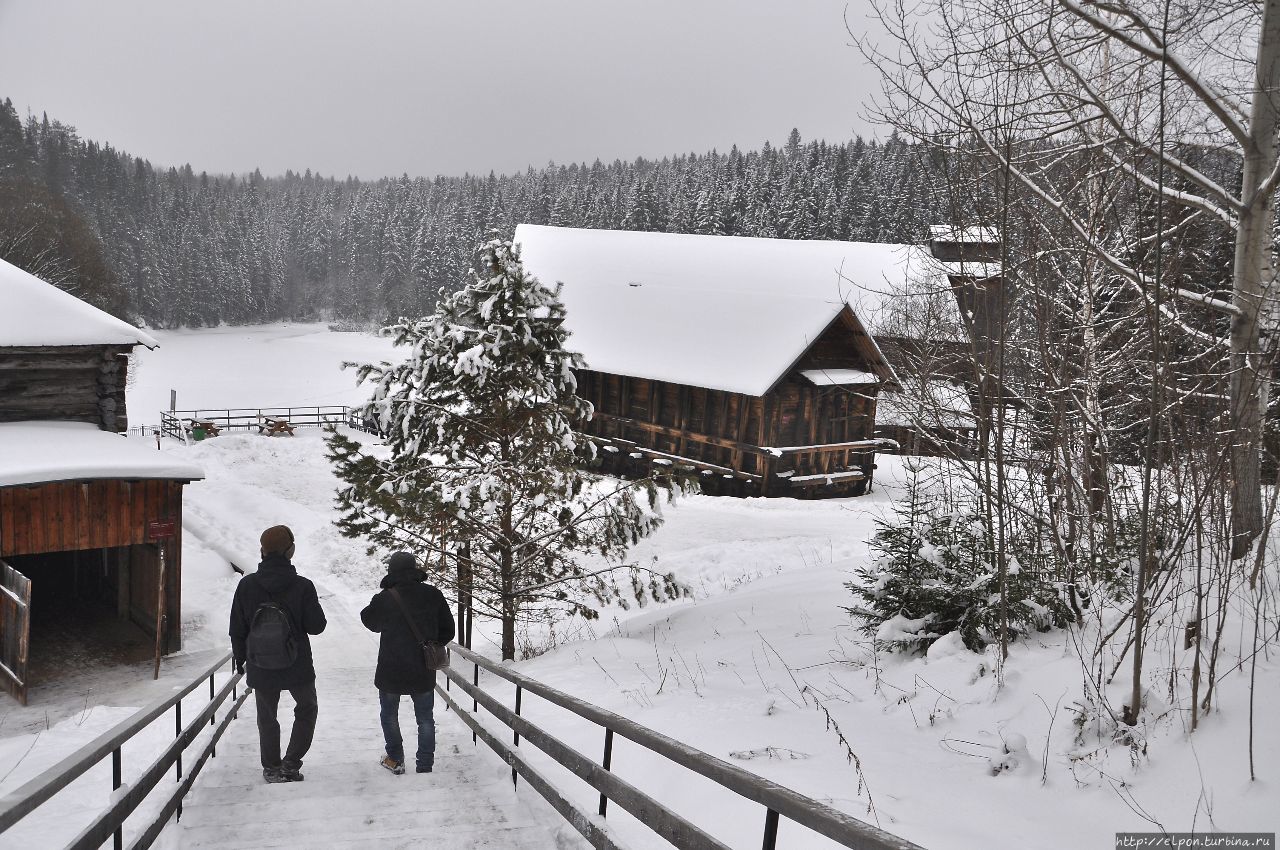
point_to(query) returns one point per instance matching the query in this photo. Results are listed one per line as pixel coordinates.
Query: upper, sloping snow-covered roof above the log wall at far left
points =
(36, 313)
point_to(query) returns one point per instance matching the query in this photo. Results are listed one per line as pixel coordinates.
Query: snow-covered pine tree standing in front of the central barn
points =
(486, 469)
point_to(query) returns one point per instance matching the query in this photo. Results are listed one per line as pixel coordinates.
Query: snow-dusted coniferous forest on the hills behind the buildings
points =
(180, 248)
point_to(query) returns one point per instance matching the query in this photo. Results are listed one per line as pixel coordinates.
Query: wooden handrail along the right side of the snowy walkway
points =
(779, 801)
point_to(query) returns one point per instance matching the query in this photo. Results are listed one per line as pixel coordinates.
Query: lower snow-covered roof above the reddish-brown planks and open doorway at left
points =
(43, 453)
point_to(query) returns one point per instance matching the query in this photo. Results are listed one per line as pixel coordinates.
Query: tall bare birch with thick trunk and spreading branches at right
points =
(1132, 89)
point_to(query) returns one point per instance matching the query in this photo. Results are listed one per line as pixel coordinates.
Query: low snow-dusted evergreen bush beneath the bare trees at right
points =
(935, 574)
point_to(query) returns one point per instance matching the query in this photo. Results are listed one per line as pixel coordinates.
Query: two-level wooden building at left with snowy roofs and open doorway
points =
(85, 513)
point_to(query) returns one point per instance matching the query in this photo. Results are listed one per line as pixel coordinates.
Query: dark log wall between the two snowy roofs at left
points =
(77, 383)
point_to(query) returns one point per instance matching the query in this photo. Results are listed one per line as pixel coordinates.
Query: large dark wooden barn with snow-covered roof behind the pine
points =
(744, 359)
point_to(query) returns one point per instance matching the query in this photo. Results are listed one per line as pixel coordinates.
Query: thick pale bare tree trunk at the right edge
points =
(1254, 278)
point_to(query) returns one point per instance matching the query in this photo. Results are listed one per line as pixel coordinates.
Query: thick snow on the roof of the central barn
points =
(716, 312)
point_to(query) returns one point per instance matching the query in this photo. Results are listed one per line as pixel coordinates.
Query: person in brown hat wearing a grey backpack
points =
(277, 579)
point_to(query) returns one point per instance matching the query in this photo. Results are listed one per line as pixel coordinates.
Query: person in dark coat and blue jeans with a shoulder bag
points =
(401, 668)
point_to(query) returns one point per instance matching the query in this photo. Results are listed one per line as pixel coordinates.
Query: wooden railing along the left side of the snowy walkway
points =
(111, 822)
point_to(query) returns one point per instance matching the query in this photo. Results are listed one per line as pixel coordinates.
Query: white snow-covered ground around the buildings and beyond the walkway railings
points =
(764, 668)
